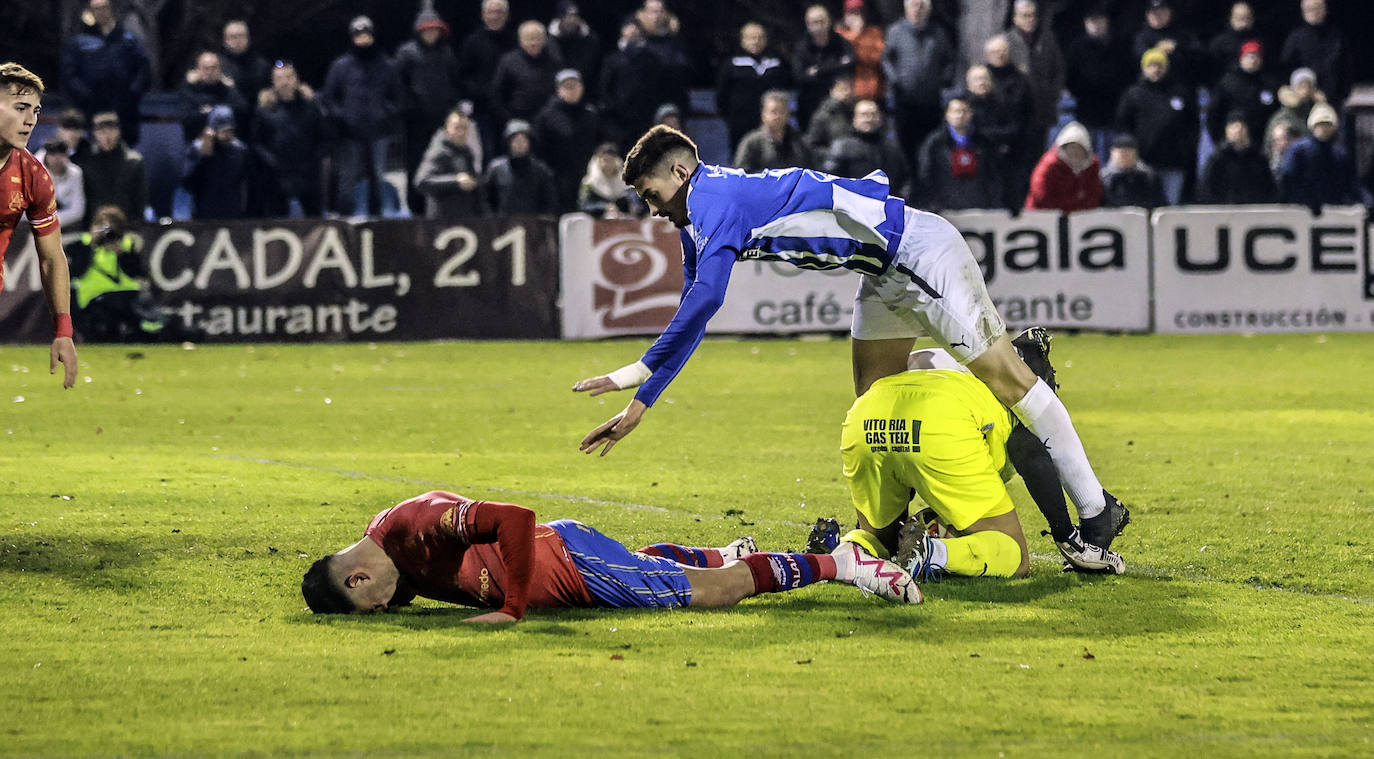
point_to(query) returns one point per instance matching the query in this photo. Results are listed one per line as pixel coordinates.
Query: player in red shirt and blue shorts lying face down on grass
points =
(494, 556)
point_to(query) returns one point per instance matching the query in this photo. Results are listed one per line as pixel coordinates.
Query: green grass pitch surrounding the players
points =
(156, 520)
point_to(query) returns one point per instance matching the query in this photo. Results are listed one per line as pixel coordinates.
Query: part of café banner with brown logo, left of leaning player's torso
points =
(626, 277)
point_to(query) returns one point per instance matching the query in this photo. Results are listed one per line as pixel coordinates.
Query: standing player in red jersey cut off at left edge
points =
(27, 190)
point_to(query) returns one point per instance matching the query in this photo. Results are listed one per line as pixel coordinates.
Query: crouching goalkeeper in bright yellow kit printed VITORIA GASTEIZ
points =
(938, 432)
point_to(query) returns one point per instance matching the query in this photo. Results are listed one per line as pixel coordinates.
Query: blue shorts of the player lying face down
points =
(619, 578)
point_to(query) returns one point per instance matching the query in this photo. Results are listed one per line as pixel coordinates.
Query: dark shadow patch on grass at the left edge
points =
(72, 559)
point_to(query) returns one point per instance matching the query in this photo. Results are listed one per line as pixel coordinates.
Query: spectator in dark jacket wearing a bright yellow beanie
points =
(1162, 115)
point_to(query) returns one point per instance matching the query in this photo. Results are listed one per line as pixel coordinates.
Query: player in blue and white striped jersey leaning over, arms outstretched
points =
(919, 277)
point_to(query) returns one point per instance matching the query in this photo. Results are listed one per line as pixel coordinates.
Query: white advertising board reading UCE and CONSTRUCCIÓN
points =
(1262, 270)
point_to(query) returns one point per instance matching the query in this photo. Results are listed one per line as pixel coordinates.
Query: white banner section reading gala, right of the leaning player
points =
(1089, 270)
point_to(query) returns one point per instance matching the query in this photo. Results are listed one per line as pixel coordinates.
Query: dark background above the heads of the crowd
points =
(313, 32)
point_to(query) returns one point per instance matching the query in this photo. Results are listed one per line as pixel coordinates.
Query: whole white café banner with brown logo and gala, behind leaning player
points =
(1085, 272)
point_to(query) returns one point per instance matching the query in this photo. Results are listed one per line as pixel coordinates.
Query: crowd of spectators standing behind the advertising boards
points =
(994, 112)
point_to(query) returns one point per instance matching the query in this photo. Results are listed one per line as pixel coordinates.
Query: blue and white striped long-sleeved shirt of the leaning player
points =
(806, 218)
